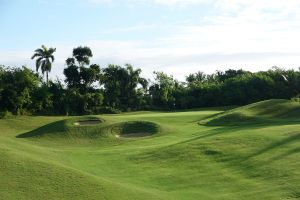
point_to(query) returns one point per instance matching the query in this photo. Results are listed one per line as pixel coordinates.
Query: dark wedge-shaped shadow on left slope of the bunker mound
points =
(48, 129)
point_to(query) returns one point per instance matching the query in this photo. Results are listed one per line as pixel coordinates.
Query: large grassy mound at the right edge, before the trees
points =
(270, 111)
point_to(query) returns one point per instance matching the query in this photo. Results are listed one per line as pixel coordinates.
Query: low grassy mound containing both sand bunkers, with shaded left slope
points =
(91, 128)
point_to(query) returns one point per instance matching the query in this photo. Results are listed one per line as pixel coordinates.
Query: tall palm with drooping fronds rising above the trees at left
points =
(44, 59)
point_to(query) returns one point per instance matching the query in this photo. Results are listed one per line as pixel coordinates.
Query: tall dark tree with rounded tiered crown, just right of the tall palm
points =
(82, 97)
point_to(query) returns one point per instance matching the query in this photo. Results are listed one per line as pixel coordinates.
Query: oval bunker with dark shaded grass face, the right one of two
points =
(135, 129)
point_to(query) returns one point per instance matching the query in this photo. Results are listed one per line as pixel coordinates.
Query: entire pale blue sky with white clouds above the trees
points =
(175, 36)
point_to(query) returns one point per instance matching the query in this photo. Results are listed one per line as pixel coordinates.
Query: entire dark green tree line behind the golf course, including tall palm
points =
(89, 89)
